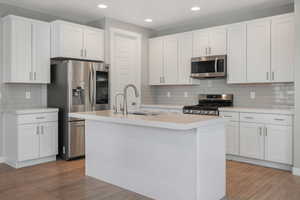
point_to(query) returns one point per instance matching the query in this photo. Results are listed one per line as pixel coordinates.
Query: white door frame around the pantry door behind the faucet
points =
(117, 31)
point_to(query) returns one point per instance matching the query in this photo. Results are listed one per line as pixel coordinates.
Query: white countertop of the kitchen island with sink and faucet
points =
(168, 120)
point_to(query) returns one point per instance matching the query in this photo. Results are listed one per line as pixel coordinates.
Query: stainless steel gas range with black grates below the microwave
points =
(209, 104)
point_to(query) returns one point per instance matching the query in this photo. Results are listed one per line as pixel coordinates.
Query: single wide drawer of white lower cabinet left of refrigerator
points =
(37, 118)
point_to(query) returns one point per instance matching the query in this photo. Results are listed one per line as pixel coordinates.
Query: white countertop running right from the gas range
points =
(258, 110)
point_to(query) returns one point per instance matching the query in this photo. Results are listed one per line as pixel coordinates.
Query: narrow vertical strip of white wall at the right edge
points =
(297, 89)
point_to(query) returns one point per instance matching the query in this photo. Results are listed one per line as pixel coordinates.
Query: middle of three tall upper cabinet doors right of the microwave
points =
(258, 51)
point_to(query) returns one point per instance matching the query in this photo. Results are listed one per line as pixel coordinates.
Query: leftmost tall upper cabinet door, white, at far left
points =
(21, 51)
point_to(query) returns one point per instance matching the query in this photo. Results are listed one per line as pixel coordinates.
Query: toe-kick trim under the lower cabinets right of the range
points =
(262, 163)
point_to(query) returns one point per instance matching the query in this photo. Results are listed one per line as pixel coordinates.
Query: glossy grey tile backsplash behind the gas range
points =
(266, 95)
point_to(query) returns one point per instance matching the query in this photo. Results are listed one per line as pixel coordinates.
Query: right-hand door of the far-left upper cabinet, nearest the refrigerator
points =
(41, 52)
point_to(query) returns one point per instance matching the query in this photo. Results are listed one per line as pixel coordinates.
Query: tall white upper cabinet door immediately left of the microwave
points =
(185, 53)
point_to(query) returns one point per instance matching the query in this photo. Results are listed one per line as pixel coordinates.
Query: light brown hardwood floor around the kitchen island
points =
(66, 181)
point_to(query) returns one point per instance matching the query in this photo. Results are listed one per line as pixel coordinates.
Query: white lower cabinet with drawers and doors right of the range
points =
(266, 137)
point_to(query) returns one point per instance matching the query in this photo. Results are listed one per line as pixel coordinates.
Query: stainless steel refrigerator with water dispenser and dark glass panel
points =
(76, 86)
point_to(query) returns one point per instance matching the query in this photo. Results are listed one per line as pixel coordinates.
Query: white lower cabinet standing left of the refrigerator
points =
(30, 138)
